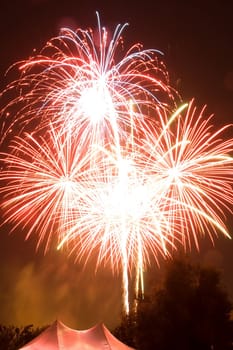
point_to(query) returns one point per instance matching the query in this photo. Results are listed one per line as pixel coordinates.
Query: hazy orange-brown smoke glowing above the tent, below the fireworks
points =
(37, 289)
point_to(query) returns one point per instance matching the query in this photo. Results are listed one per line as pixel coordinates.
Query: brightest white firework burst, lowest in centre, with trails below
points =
(120, 211)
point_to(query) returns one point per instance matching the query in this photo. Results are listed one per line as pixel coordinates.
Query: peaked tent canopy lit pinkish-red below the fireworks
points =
(59, 336)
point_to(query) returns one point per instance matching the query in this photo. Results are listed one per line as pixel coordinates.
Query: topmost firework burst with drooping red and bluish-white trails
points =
(72, 70)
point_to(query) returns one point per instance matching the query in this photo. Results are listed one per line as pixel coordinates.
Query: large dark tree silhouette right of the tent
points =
(191, 311)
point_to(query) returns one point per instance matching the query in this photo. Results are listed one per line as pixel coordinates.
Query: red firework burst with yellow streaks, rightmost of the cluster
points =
(196, 166)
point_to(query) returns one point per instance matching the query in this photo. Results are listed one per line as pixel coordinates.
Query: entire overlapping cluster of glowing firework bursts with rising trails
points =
(115, 175)
